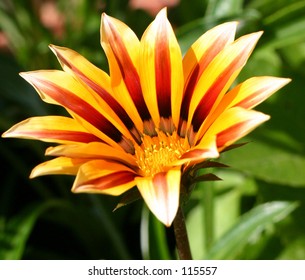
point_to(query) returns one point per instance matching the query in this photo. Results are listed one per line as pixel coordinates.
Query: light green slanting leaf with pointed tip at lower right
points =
(250, 226)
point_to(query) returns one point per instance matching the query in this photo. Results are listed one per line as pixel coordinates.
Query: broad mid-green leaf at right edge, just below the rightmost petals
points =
(270, 160)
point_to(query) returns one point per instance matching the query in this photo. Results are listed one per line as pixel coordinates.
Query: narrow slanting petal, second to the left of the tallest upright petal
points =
(96, 79)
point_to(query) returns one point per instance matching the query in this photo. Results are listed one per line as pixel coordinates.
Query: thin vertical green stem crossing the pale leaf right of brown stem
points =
(208, 206)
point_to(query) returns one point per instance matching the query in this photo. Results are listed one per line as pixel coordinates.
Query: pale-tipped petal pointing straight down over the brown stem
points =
(161, 194)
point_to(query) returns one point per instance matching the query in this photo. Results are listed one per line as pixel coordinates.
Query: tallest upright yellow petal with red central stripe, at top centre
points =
(161, 72)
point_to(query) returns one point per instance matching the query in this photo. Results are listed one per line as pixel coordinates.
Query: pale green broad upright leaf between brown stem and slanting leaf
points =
(224, 212)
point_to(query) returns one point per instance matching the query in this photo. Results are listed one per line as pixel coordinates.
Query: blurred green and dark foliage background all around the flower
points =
(256, 212)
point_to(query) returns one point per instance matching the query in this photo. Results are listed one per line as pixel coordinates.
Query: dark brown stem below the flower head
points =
(182, 242)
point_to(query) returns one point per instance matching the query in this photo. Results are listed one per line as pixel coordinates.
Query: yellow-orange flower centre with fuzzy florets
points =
(158, 153)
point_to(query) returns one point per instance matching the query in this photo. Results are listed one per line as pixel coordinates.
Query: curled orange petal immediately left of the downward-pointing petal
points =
(100, 176)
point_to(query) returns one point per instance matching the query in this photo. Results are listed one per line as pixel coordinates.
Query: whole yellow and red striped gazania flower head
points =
(154, 117)
